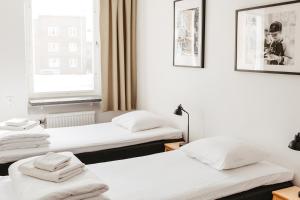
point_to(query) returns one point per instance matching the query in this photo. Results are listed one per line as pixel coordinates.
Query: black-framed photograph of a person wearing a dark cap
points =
(268, 38)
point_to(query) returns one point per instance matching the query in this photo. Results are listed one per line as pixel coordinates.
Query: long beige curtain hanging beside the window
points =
(118, 54)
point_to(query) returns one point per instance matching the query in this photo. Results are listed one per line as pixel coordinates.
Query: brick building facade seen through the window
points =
(61, 46)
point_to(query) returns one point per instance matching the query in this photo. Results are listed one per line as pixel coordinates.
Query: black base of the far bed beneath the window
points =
(113, 154)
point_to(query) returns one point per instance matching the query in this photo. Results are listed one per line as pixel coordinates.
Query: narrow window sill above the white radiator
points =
(65, 100)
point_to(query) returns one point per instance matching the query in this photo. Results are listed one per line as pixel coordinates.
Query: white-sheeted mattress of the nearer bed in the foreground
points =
(174, 176)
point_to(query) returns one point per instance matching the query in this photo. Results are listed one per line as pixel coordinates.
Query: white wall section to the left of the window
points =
(13, 87)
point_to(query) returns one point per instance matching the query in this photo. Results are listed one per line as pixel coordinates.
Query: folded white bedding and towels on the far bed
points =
(22, 134)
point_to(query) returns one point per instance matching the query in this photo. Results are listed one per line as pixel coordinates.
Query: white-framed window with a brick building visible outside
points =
(63, 53)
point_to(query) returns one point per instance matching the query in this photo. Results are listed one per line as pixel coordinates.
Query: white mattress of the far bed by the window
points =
(90, 138)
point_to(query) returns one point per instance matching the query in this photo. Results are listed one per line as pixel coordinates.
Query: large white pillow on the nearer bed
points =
(223, 152)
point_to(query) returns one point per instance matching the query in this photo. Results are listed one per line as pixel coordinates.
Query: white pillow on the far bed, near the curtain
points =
(138, 121)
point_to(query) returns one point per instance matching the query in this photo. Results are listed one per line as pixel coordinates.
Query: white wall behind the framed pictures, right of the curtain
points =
(261, 108)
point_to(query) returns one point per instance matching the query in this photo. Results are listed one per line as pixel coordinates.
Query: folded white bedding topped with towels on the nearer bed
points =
(55, 176)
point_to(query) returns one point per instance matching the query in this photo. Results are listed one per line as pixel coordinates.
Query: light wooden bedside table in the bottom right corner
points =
(290, 193)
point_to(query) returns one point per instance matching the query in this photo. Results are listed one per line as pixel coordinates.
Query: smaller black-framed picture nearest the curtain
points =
(189, 33)
